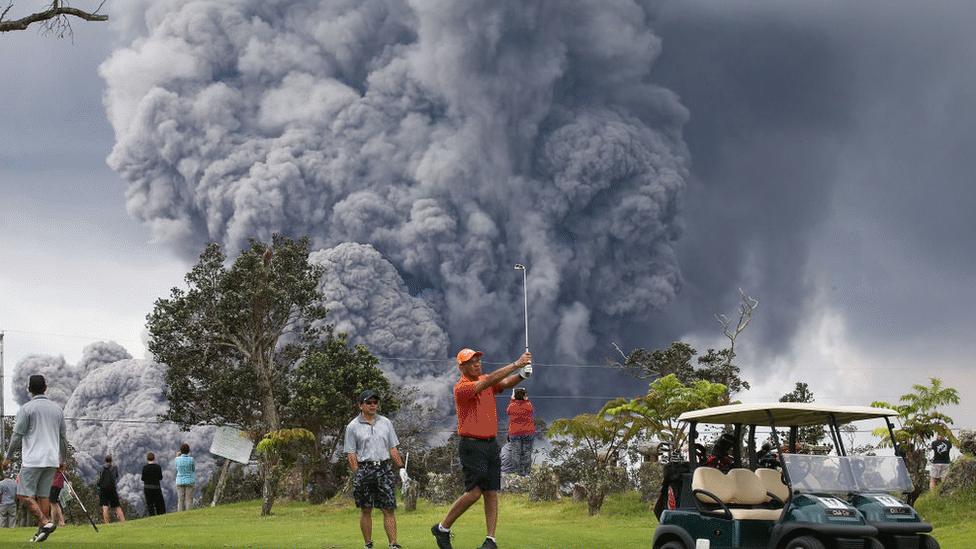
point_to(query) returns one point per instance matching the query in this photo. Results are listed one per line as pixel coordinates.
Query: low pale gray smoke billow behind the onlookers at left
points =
(131, 390)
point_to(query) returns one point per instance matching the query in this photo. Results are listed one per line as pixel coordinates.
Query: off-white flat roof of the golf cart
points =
(784, 414)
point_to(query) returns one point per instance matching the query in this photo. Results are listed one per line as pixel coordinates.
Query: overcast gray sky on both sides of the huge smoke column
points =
(831, 176)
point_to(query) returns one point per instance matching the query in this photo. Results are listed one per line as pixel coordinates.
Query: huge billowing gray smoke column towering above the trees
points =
(454, 138)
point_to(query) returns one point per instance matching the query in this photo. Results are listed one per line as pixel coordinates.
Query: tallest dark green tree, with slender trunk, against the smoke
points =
(223, 338)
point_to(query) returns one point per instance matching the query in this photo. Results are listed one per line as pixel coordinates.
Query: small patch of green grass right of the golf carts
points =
(953, 518)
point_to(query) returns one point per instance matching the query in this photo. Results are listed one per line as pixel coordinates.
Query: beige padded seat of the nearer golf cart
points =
(740, 491)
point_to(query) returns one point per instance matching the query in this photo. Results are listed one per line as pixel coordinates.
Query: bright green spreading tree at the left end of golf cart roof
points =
(656, 413)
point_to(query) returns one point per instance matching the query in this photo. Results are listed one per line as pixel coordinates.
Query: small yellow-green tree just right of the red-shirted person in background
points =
(596, 439)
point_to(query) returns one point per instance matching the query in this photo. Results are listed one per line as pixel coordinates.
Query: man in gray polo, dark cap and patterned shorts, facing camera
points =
(370, 446)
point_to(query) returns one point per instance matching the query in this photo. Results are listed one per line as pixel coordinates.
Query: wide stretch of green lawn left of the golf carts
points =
(624, 522)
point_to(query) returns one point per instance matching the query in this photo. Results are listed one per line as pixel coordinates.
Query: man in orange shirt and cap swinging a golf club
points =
(474, 399)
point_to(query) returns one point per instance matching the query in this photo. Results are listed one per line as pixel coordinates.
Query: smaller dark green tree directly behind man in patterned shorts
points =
(324, 387)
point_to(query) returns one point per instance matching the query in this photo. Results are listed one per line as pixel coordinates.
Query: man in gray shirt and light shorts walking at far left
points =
(39, 433)
